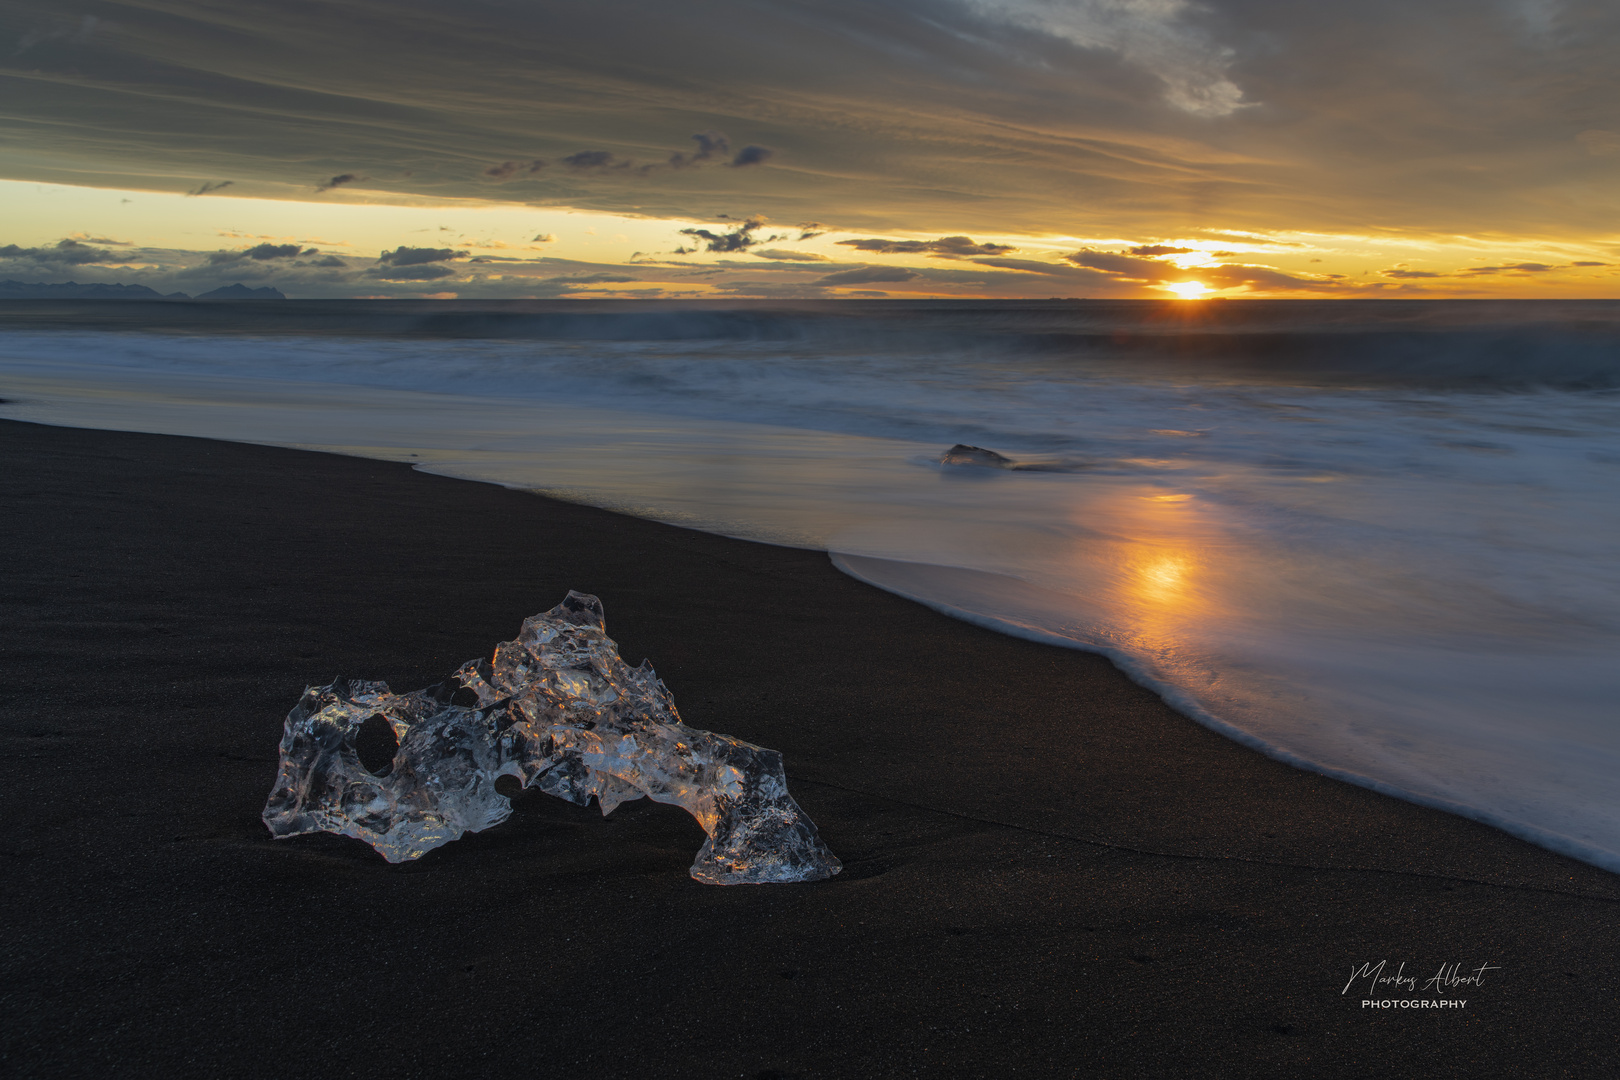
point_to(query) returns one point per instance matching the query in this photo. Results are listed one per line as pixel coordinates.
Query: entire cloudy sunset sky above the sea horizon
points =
(816, 148)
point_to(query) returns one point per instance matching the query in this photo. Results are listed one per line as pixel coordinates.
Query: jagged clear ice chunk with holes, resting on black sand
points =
(561, 712)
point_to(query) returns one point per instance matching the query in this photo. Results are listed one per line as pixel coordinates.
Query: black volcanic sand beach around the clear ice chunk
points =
(1047, 870)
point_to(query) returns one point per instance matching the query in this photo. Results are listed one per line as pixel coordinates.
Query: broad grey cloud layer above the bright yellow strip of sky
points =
(876, 116)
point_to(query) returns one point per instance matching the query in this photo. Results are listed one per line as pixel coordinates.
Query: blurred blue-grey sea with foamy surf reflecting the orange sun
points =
(1376, 540)
